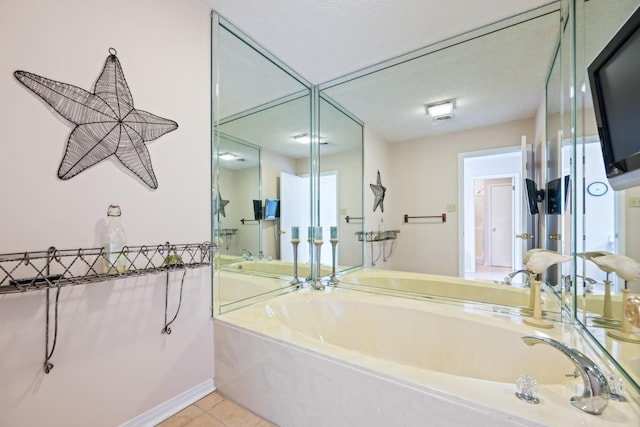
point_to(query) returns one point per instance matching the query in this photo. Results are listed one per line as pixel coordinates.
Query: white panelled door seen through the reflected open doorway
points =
(501, 227)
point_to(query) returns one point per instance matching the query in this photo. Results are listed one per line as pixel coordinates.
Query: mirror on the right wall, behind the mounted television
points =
(604, 217)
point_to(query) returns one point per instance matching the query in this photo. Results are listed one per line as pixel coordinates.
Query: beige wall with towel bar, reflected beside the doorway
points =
(425, 180)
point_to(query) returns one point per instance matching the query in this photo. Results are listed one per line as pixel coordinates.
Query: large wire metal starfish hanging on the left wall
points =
(106, 122)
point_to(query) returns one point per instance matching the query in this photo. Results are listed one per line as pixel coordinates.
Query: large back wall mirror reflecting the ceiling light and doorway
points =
(496, 78)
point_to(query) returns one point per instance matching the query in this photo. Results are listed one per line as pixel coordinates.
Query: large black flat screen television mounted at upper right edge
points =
(614, 76)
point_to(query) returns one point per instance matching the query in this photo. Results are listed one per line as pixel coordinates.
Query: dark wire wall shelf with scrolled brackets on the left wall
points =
(54, 269)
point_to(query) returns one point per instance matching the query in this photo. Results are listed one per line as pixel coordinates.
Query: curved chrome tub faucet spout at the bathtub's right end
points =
(596, 394)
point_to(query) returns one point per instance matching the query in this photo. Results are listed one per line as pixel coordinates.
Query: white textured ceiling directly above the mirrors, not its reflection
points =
(325, 39)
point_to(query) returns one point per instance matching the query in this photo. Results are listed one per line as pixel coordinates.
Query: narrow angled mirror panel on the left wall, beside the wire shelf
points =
(260, 105)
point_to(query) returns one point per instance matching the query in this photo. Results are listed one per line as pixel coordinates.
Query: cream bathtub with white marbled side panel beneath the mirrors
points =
(348, 358)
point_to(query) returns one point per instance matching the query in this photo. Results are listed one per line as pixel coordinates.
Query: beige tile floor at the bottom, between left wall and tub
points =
(214, 410)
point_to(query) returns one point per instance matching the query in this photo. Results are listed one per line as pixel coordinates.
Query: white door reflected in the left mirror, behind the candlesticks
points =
(294, 211)
